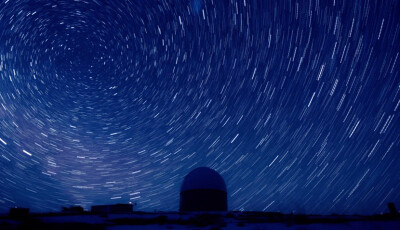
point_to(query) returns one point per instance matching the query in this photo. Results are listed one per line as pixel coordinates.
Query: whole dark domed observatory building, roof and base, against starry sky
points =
(203, 189)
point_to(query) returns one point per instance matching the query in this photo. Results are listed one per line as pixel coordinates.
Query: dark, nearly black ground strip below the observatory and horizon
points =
(217, 220)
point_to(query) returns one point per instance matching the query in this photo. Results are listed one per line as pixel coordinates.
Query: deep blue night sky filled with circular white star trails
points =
(295, 103)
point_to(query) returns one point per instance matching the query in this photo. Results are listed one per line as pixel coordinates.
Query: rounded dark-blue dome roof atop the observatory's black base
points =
(203, 178)
